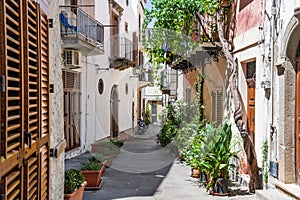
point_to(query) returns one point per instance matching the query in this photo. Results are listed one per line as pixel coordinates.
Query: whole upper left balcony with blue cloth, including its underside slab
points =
(80, 31)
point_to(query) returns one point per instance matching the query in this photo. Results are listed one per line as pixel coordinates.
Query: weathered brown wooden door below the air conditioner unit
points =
(71, 84)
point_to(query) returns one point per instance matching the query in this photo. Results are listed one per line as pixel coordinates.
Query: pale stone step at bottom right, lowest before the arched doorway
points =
(272, 194)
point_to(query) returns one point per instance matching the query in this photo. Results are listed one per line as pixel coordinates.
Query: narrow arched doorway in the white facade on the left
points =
(114, 112)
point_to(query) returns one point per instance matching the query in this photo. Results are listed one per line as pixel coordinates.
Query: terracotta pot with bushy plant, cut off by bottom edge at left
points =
(74, 185)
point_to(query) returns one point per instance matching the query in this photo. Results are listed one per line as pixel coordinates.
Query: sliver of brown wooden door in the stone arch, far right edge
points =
(297, 119)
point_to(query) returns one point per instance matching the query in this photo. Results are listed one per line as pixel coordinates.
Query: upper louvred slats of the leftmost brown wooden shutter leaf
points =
(13, 73)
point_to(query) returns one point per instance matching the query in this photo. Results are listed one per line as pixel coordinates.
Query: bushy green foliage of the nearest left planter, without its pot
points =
(73, 180)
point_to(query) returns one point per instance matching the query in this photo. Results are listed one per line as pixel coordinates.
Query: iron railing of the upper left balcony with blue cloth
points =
(78, 22)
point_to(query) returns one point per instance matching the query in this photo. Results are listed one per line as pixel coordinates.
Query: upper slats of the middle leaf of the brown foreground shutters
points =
(32, 70)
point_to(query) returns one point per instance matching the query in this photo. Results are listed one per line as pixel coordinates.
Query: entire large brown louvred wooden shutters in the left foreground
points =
(24, 114)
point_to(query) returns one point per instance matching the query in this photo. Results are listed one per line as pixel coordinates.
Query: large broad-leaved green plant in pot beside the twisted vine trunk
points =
(217, 152)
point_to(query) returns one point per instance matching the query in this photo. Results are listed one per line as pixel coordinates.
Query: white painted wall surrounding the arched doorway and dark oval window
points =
(95, 108)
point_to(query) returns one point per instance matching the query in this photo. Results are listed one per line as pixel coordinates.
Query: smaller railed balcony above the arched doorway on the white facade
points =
(123, 54)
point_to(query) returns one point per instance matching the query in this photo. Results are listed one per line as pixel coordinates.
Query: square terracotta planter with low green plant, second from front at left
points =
(92, 172)
